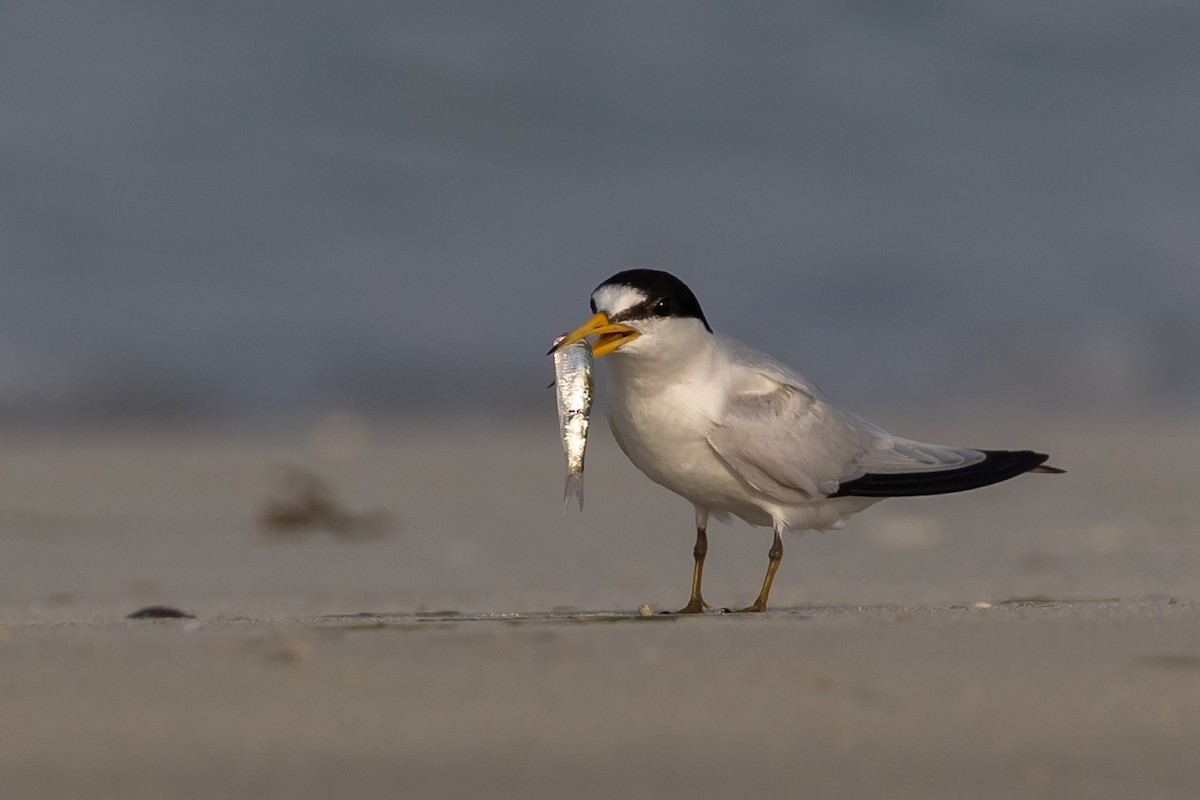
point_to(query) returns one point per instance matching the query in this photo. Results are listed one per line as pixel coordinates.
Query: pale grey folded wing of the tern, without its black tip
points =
(781, 436)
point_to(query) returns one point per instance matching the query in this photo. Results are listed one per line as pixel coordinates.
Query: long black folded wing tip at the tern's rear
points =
(998, 466)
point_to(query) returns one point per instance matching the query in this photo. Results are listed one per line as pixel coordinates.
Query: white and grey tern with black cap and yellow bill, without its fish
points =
(736, 432)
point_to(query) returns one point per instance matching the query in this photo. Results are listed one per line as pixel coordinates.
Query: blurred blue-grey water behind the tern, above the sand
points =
(220, 209)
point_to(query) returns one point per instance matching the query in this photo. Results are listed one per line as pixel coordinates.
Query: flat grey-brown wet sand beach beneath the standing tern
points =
(1040, 639)
